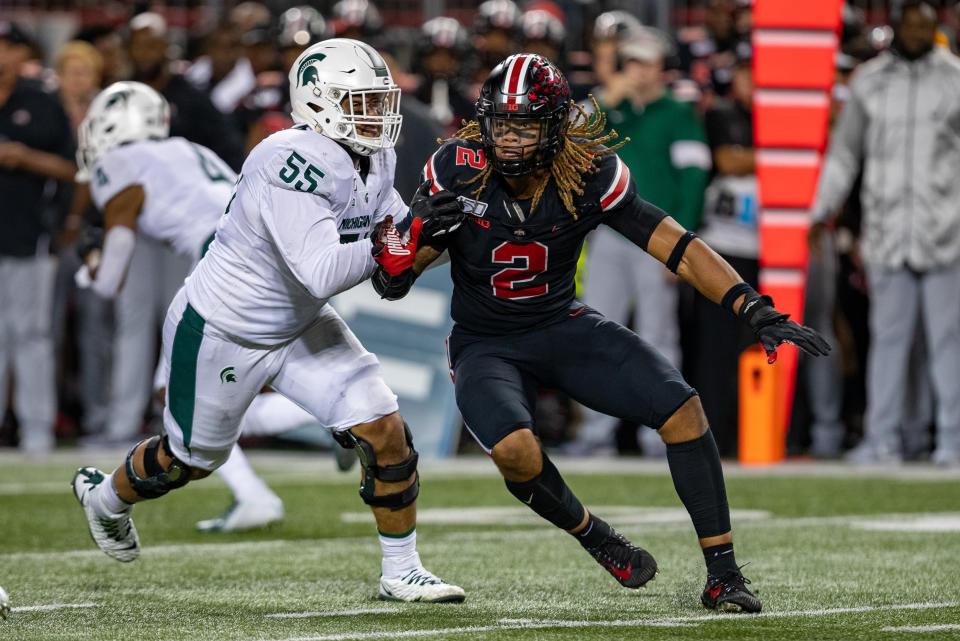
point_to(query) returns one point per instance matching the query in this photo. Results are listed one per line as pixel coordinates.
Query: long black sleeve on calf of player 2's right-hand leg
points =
(698, 479)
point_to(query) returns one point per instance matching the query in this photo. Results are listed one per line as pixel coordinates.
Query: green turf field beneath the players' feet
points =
(523, 581)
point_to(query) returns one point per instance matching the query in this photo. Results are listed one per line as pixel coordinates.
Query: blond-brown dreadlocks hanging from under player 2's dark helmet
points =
(584, 143)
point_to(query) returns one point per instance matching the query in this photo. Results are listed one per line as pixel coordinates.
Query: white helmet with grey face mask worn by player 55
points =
(343, 89)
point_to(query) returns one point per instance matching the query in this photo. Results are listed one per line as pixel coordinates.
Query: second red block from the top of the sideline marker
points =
(793, 59)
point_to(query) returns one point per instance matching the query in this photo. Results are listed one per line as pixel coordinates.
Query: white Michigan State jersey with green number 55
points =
(295, 234)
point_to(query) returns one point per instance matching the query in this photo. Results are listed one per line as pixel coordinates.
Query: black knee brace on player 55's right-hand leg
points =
(395, 473)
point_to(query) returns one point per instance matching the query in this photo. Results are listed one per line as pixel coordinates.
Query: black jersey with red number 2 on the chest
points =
(513, 269)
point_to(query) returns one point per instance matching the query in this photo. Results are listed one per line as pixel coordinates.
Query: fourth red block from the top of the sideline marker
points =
(787, 179)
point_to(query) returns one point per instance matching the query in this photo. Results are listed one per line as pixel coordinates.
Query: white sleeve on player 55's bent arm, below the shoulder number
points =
(305, 233)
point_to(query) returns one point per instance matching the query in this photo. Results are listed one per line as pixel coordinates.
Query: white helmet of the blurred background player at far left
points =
(122, 113)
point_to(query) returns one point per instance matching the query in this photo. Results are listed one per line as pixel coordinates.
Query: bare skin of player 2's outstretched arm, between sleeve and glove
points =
(700, 266)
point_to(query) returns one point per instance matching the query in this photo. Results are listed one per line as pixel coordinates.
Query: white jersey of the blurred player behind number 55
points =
(186, 188)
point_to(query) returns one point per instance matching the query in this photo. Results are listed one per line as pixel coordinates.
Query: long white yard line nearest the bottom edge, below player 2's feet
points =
(661, 622)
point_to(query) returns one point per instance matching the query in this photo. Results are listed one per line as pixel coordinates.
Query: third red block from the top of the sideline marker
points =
(790, 118)
